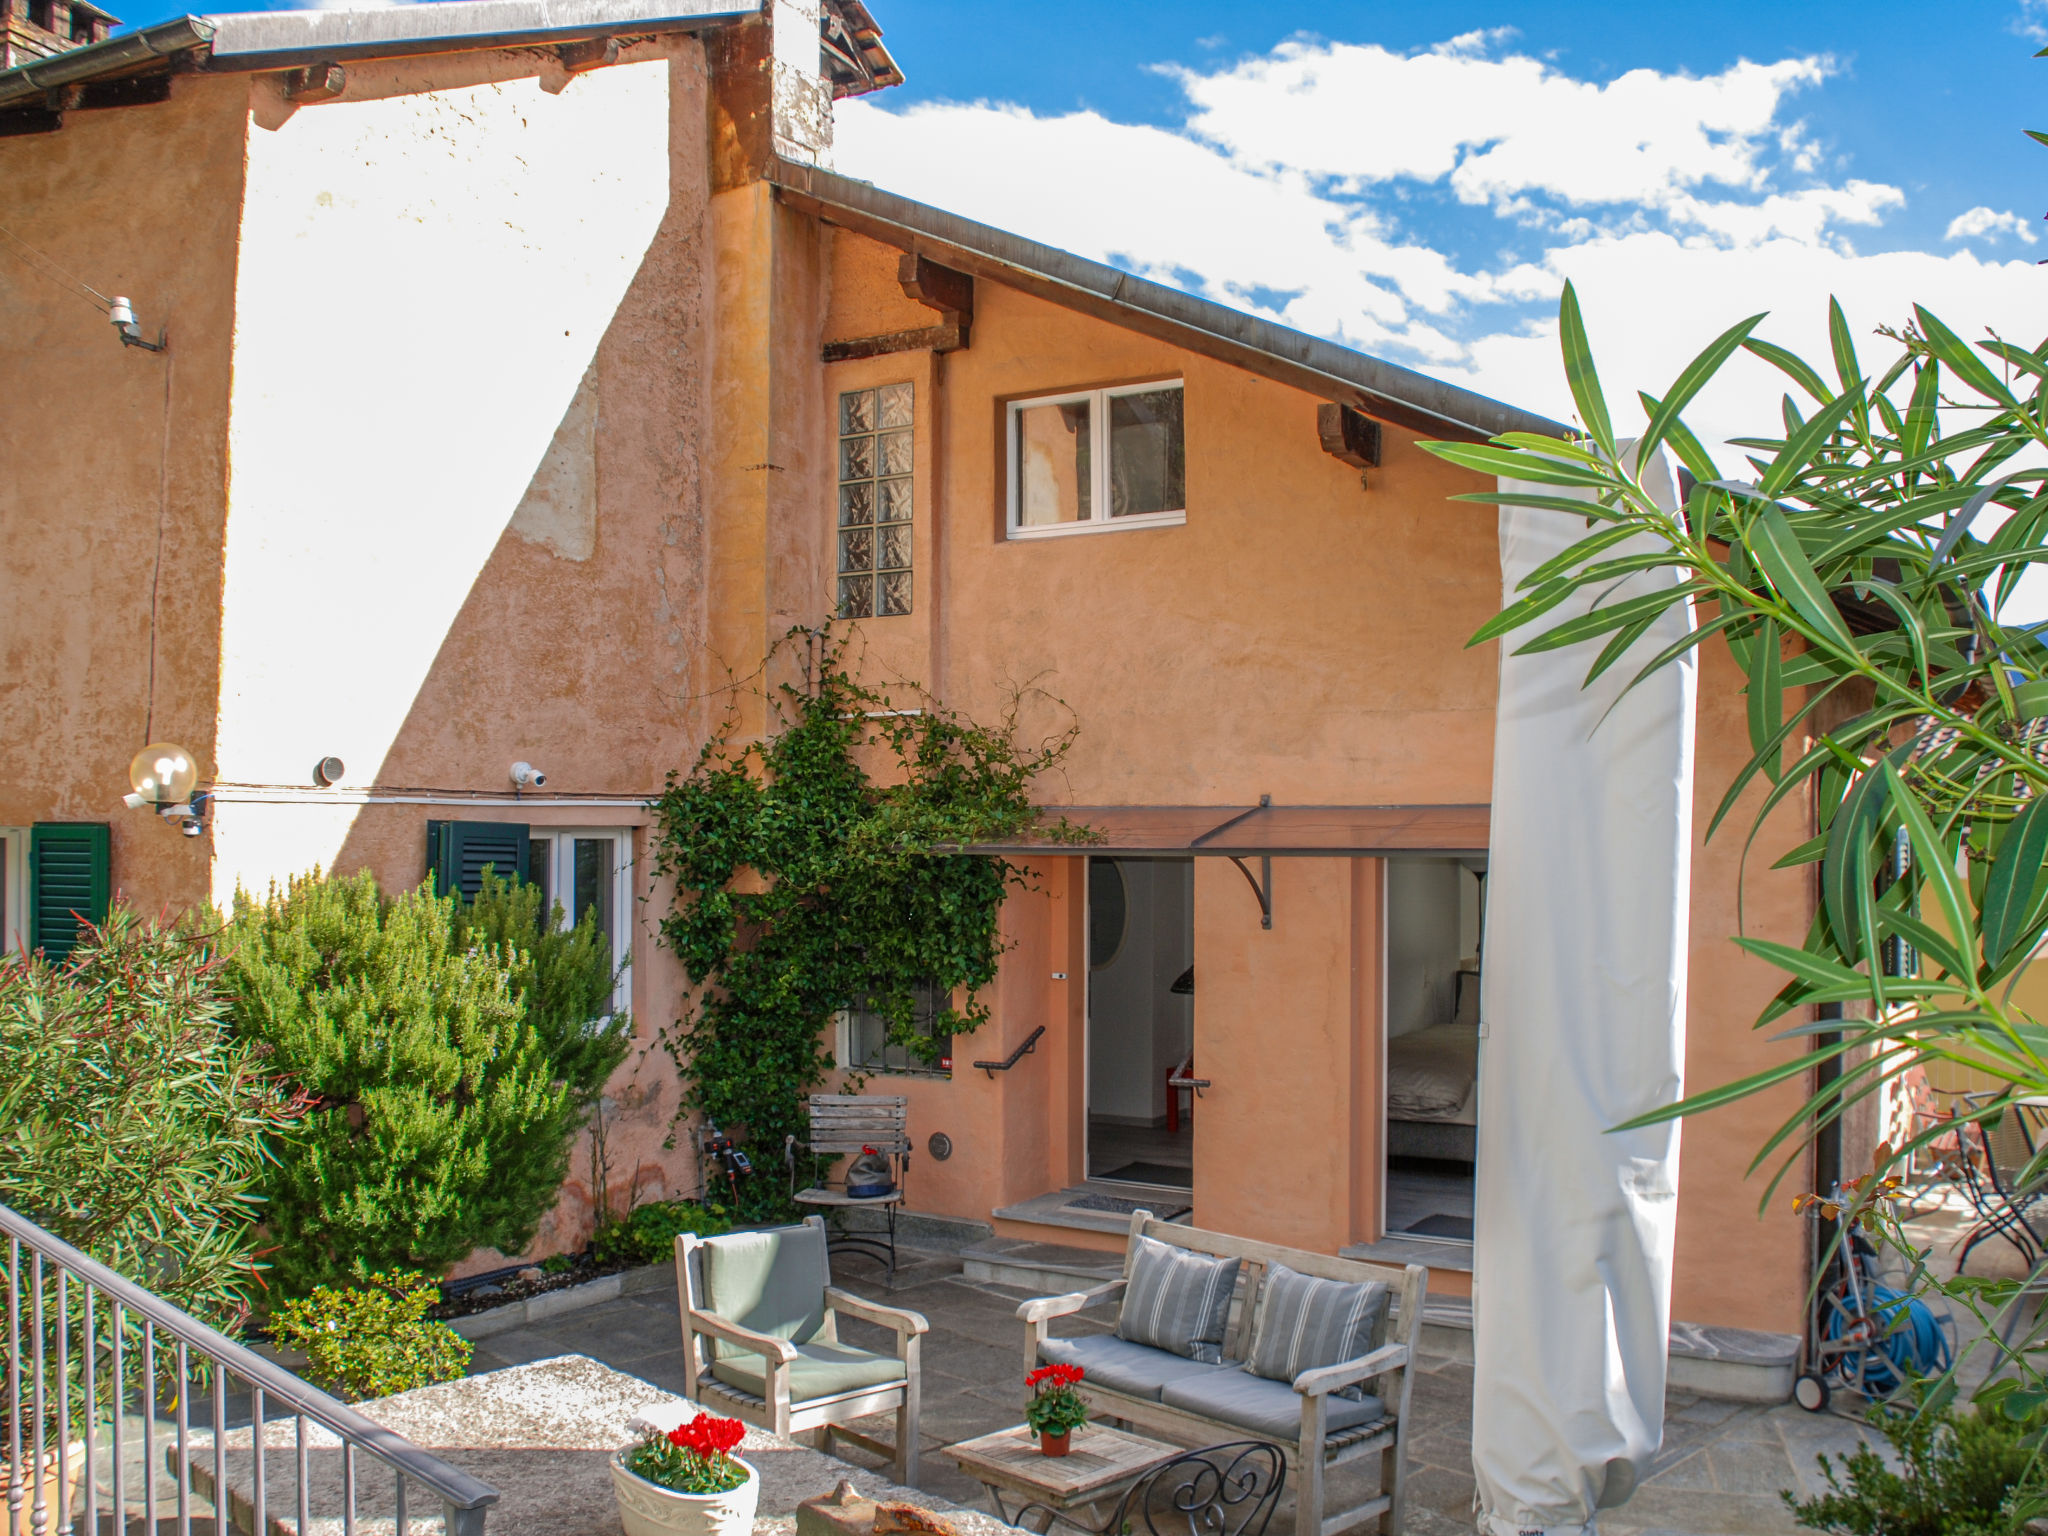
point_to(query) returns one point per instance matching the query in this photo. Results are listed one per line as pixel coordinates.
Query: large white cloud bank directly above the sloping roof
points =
(1431, 208)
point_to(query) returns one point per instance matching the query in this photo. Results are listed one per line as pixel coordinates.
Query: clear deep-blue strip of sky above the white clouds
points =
(1936, 110)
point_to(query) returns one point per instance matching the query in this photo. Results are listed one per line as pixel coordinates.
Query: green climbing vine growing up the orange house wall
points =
(808, 884)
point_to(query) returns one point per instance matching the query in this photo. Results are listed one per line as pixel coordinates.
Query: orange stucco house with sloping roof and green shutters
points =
(527, 374)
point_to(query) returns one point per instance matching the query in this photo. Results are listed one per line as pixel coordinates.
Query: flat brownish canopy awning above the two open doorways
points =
(1269, 830)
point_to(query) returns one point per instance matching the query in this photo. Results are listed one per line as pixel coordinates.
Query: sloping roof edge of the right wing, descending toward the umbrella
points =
(1326, 370)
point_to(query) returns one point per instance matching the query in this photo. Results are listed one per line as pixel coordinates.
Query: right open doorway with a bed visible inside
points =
(1435, 927)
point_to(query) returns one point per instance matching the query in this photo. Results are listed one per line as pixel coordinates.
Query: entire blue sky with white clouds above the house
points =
(1420, 181)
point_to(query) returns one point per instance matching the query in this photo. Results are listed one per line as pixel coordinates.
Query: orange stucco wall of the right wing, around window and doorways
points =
(1299, 638)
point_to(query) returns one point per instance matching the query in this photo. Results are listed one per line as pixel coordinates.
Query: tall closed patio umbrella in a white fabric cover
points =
(1584, 1005)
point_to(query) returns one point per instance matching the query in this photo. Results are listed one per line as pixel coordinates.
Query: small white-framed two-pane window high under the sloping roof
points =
(1099, 460)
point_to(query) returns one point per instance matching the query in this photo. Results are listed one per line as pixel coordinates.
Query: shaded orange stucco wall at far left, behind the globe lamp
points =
(114, 464)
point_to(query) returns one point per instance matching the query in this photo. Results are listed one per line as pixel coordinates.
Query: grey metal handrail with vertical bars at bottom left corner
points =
(464, 1498)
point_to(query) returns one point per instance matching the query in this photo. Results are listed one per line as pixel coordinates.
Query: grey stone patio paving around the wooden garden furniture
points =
(1719, 1471)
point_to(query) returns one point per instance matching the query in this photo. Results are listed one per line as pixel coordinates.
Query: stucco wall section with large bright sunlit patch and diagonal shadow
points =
(536, 562)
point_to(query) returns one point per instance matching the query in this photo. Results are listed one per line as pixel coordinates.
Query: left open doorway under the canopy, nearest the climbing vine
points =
(1140, 1021)
